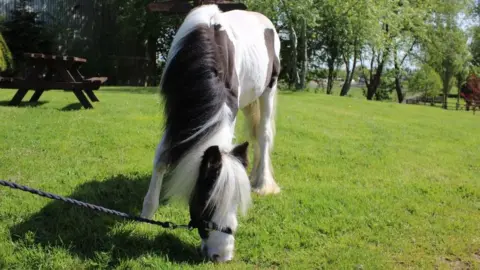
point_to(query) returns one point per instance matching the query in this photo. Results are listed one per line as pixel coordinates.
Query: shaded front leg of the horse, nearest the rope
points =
(151, 200)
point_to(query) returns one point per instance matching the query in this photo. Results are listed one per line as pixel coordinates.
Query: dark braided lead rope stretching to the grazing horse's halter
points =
(167, 224)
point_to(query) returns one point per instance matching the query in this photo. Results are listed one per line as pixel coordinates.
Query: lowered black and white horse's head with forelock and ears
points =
(221, 188)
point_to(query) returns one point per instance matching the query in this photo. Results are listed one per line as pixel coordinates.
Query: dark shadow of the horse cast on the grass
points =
(85, 233)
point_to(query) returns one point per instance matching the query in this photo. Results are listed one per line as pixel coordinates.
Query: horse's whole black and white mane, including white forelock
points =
(199, 109)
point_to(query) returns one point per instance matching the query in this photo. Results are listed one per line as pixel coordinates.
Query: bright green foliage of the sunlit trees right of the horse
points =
(383, 31)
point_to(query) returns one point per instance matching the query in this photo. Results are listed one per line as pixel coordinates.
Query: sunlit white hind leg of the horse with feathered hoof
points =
(263, 181)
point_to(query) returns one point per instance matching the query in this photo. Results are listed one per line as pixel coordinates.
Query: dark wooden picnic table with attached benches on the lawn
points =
(52, 72)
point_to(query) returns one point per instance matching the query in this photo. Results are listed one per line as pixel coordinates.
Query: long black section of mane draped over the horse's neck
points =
(195, 88)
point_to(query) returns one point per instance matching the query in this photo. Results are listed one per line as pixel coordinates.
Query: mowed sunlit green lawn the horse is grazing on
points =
(365, 185)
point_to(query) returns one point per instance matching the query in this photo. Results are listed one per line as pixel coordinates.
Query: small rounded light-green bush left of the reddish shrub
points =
(426, 81)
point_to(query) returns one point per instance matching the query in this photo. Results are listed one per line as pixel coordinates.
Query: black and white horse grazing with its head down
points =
(219, 63)
